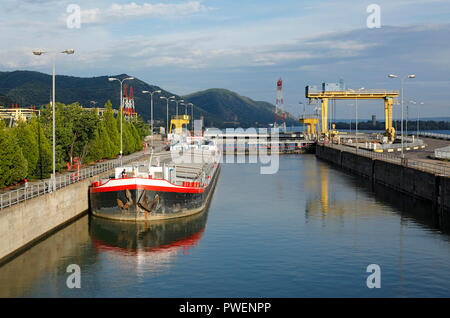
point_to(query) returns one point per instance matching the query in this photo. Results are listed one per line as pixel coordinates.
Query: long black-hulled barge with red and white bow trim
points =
(145, 192)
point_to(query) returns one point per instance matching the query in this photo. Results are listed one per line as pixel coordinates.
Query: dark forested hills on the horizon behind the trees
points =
(220, 107)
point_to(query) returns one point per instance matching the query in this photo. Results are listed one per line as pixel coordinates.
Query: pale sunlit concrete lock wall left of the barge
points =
(26, 222)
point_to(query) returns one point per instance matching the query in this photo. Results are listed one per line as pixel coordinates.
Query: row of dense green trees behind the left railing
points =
(26, 149)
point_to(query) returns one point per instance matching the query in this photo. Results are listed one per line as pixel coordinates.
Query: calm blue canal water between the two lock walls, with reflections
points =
(308, 231)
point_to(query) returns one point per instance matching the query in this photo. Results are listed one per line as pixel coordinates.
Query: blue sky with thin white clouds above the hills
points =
(185, 46)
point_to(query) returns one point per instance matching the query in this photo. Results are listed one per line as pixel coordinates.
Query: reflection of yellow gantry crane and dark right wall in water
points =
(343, 200)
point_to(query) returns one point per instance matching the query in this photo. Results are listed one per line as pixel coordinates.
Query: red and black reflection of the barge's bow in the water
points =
(146, 246)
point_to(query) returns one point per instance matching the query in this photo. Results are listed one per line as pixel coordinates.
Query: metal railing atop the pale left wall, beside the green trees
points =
(45, 186)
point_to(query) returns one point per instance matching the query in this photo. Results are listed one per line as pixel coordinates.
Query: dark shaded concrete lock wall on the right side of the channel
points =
(421, 184)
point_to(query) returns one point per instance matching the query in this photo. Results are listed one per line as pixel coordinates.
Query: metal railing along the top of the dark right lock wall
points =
(415, 164)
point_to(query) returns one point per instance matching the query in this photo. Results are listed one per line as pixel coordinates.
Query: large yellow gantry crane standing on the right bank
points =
(336, 92)
